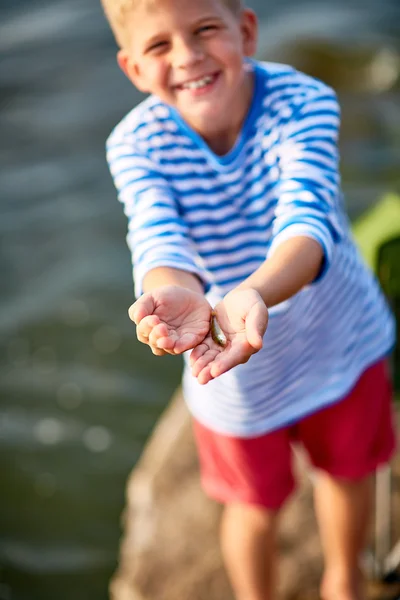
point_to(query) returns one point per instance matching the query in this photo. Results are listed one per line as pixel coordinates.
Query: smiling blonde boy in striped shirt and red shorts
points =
(229, 178)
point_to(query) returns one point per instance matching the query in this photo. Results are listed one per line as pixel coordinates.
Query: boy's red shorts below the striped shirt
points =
(348, 439)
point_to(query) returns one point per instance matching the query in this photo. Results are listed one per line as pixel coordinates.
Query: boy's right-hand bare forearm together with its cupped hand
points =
(243, 313)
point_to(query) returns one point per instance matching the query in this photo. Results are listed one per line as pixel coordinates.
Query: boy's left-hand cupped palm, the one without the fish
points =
(171, 319)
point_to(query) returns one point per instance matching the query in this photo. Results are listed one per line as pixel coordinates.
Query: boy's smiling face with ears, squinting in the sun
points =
(190, 54)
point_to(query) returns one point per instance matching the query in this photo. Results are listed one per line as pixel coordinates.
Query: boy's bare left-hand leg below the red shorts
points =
(248, 548)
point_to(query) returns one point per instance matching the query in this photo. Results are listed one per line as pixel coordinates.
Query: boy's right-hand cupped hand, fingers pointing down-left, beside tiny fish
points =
(243, 317)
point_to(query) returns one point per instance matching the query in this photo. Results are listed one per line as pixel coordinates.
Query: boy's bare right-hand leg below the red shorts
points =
(343, 510)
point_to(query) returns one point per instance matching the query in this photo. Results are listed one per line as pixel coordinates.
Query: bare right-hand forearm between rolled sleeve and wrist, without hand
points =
(294, 264)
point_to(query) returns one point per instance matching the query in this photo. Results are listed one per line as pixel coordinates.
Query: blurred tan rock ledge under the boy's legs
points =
(170, 548)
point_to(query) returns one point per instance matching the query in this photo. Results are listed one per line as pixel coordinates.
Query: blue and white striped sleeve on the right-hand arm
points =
(309, 194)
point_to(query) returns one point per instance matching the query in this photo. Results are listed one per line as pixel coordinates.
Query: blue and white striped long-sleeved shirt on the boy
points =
(220, 217)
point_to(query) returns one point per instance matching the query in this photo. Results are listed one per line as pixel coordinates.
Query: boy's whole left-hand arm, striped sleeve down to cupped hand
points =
(171, 313)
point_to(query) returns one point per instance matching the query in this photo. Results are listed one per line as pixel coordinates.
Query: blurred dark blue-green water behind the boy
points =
(78, 396)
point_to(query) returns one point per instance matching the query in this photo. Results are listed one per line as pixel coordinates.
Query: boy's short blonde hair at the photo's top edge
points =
(116, 12)
